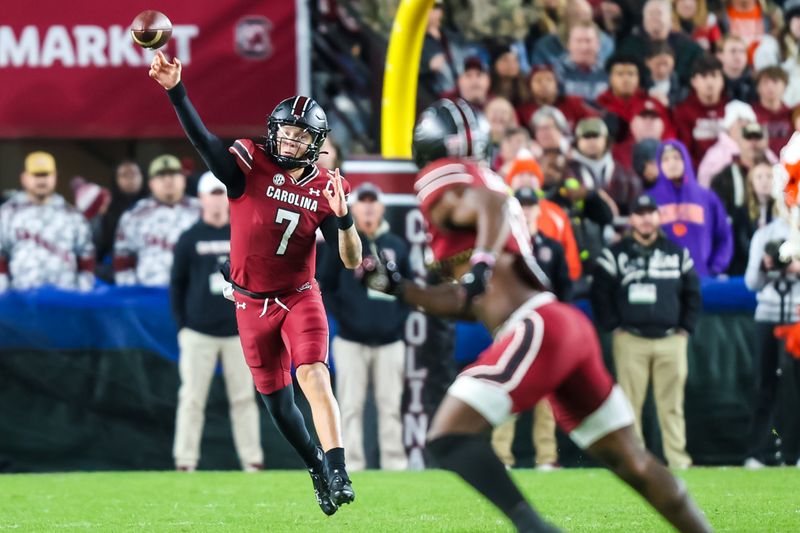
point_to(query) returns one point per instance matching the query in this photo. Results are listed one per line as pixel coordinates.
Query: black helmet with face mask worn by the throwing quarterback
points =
(303, 112)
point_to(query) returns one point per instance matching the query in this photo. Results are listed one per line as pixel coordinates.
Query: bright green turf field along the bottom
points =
(577, 500)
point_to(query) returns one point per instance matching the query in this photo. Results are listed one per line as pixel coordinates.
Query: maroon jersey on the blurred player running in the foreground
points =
(444, 174)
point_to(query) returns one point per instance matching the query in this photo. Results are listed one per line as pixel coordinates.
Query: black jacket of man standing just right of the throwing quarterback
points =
(367, 318)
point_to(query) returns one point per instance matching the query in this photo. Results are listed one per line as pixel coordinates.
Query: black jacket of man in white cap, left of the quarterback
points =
(196, 284)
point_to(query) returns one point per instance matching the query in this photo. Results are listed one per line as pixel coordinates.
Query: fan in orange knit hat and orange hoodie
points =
(553, 221)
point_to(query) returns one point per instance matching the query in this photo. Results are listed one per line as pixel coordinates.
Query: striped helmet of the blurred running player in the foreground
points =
(450, 128)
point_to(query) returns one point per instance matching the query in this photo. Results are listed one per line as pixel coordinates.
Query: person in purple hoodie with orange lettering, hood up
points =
(691, 215)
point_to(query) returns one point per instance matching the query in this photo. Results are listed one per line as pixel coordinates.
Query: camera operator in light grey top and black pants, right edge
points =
(778, 295)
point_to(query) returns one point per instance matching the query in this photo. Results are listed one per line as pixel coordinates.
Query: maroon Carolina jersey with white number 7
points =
(274, 223)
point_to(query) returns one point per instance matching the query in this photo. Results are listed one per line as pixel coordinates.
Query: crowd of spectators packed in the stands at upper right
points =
(603, 97)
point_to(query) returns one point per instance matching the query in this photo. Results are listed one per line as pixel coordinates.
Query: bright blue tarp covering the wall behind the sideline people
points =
(139, 318)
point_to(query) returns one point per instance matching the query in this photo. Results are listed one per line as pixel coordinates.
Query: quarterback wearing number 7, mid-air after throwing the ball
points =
(278, 199)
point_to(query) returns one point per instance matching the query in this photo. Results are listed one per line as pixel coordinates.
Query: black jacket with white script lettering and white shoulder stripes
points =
(649, 291)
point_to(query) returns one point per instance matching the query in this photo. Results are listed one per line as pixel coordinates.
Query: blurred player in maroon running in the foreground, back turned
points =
(542, 348)
